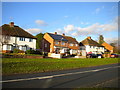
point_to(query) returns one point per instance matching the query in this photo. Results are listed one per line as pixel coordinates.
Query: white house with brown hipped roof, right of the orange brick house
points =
(91, 46)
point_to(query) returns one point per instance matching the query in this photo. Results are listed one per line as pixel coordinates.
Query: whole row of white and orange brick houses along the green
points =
(13, 36)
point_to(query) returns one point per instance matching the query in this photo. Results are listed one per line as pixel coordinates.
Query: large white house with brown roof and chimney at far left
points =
(13, 36)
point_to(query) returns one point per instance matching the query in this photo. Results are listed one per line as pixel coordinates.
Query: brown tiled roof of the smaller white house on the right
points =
(90, 42)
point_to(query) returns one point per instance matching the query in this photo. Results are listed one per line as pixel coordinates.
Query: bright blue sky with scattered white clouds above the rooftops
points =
(75, 19)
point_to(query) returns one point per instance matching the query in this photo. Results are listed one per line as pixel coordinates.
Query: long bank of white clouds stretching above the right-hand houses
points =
(94, 29)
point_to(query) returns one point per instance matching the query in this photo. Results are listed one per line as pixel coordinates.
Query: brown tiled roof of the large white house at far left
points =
(15, 31)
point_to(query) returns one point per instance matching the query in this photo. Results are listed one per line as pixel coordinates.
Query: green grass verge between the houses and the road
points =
(23, 65)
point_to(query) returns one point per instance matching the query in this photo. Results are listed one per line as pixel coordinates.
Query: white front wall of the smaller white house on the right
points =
(94, 50)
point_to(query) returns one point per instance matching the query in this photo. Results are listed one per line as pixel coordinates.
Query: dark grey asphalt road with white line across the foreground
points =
(98, 76)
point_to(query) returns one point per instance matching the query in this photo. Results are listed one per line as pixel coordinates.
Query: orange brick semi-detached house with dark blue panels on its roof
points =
(61, 43)
